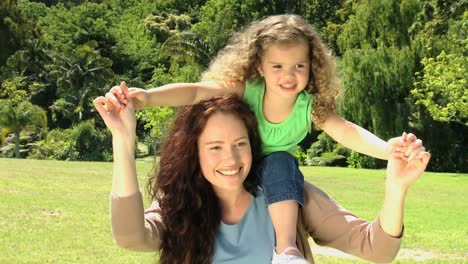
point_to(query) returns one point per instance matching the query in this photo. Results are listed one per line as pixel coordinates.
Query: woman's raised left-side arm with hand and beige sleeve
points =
(132, 227)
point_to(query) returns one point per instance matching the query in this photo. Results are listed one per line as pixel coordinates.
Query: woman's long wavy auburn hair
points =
(189, 207)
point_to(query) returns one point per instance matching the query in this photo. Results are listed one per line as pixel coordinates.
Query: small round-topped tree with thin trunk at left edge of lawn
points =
(17, 118)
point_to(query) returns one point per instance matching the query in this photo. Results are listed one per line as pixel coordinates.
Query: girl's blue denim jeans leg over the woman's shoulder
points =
(281, 178)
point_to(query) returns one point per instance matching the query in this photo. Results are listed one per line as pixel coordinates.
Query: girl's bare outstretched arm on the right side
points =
(357, 138)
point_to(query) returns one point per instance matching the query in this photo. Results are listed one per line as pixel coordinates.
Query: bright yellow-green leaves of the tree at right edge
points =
(441, 84)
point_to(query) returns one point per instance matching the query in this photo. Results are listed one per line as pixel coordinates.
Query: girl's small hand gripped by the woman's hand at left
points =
(122, 95)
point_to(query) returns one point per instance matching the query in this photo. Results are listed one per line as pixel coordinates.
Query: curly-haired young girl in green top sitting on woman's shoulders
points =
(286, 74)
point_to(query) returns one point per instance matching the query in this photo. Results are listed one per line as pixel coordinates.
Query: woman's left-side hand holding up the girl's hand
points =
(117, 119)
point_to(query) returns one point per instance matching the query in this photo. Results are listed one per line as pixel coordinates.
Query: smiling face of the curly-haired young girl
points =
(286, 68)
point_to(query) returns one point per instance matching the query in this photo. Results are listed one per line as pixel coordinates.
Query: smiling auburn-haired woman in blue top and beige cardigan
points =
(209, 207)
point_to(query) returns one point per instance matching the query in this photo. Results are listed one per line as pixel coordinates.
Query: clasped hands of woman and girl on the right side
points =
(405, 170)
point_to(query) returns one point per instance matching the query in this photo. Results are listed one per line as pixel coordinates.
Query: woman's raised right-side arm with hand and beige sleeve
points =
(329, 224)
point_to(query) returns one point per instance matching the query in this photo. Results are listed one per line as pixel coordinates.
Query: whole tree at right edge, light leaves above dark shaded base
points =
(439, 39)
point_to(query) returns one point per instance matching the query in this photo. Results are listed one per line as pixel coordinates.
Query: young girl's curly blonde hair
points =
(240, 58)
